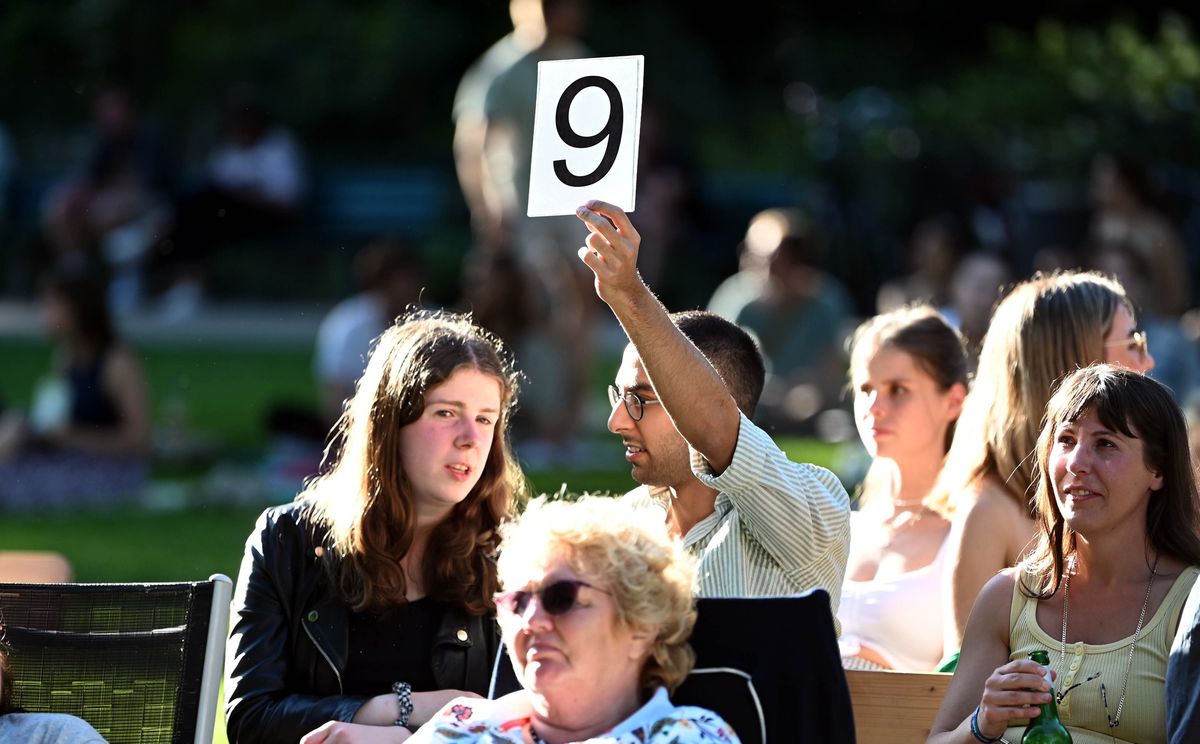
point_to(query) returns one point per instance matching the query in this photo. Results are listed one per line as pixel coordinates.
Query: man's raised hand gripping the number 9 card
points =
(611, 253)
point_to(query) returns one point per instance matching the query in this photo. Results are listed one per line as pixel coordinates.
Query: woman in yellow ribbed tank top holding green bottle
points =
(1119, 544)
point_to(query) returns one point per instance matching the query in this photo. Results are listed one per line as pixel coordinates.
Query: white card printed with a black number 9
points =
(587, 124)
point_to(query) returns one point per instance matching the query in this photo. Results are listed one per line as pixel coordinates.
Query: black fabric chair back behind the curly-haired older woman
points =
(771, 668)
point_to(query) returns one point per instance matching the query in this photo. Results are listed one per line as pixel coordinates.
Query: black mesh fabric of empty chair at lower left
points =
(127, 658)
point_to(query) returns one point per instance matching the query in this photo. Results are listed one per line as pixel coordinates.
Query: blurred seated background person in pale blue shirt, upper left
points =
(254, 187)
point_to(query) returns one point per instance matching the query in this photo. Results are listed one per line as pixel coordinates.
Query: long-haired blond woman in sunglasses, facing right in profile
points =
(1045, 328)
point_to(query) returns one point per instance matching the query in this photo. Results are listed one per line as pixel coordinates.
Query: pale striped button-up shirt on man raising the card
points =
(778, 527)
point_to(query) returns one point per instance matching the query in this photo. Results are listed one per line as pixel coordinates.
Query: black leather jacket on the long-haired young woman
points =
(290, 640)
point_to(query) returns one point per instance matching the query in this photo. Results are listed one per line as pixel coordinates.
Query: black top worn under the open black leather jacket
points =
(393, 647)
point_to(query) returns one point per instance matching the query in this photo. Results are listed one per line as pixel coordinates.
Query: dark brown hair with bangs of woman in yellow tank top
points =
(1139, 407)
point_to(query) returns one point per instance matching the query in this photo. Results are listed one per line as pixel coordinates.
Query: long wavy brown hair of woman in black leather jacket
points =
(365, 500)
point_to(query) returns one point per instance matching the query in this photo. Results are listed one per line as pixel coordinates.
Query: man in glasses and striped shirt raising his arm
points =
(760, 525)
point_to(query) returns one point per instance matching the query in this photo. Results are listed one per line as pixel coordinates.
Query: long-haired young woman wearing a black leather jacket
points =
(365, 605)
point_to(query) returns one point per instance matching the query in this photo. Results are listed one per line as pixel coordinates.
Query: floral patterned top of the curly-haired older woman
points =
(471, 721)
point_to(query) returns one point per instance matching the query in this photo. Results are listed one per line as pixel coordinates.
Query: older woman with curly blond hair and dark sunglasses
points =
(597, 613)
